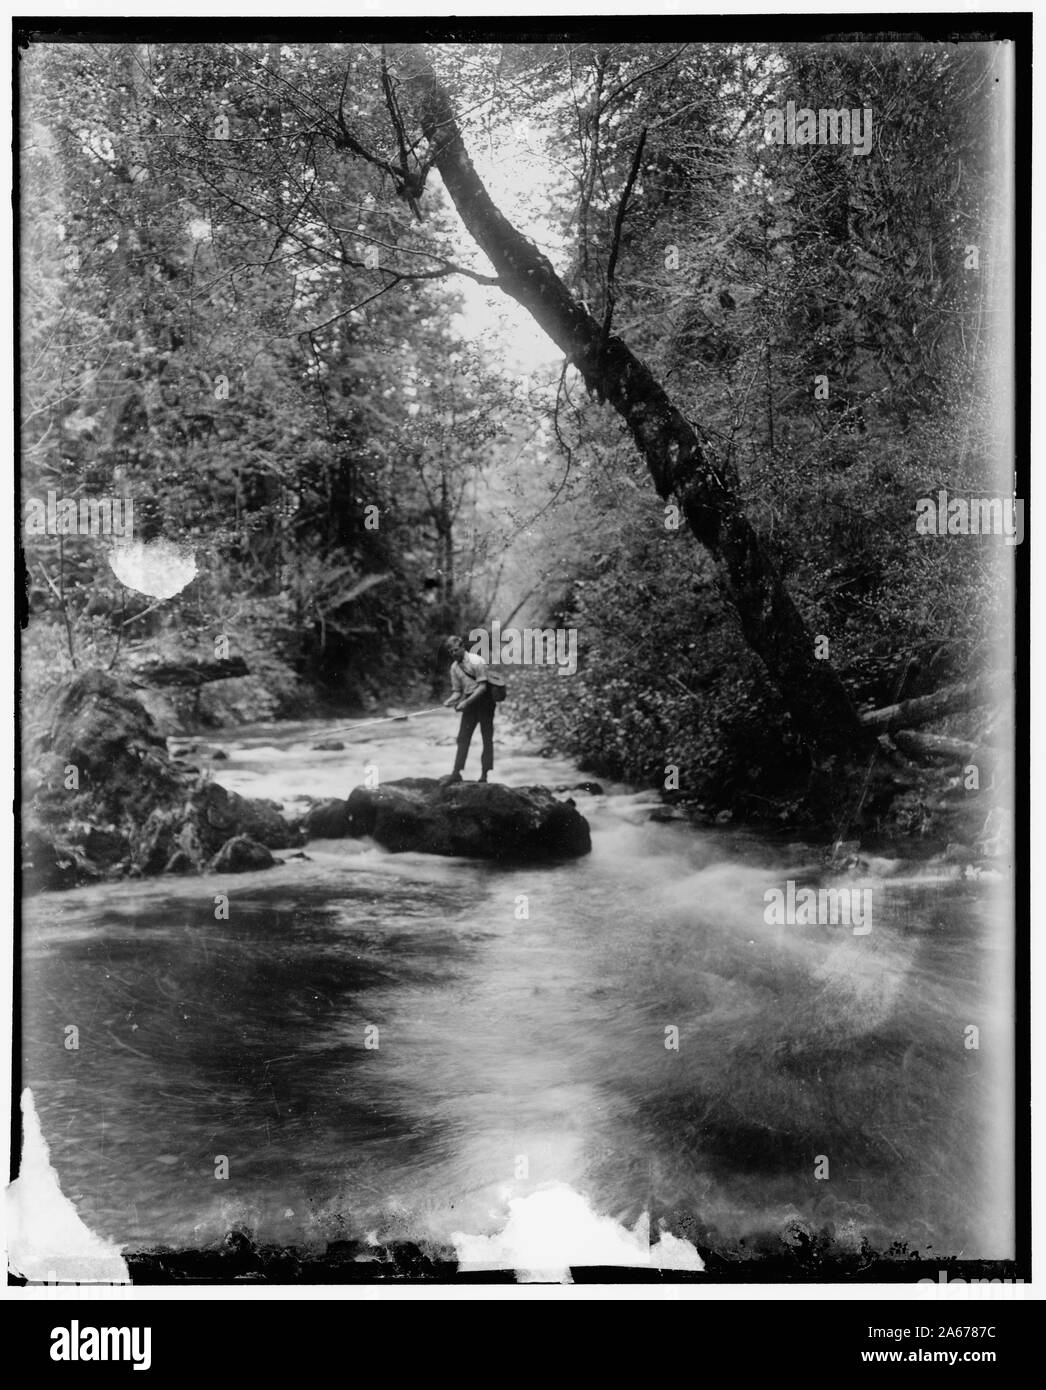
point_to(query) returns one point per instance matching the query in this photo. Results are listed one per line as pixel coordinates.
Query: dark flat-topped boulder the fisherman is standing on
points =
(479, 821)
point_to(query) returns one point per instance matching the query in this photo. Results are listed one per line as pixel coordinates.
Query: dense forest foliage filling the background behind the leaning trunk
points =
(242, 306)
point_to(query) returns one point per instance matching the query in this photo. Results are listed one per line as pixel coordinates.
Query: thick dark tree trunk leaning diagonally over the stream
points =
(708, 496)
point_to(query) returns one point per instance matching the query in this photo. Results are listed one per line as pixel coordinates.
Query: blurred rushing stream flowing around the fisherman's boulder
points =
(522, 1024)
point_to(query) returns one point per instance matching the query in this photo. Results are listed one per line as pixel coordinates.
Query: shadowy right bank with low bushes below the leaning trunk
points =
(726, 755)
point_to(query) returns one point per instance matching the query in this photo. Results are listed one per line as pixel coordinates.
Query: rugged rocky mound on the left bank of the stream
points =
(102, 797)
